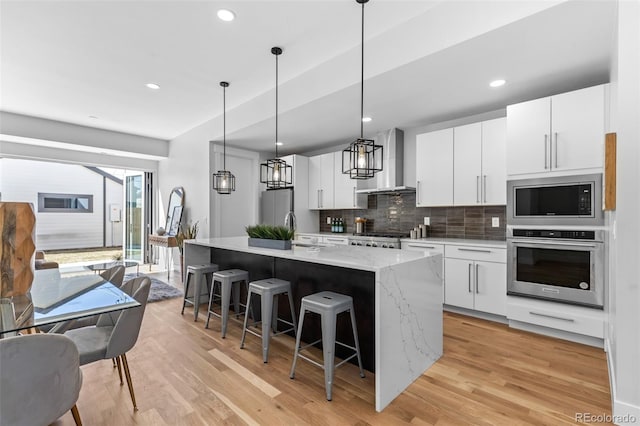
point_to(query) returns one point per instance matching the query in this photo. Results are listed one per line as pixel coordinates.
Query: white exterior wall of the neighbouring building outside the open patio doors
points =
(22, 180)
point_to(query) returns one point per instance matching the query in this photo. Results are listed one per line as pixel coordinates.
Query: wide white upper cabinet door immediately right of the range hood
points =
(434, 168)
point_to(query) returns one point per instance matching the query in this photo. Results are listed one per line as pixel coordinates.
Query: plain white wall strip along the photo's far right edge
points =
(625, 283)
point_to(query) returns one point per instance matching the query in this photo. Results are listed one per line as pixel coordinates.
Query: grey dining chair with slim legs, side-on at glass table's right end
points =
(112, 337)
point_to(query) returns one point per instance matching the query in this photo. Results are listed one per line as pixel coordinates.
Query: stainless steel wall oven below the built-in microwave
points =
(565, 265)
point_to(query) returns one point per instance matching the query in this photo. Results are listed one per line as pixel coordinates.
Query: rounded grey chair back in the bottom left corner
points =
(40, 379)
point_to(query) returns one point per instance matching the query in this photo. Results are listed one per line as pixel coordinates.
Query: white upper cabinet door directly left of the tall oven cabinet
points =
(494, 161)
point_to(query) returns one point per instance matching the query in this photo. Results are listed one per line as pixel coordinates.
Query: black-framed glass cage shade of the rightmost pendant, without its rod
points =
(362, 159)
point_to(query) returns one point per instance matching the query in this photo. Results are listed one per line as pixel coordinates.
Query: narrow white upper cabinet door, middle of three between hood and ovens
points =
(467, 164)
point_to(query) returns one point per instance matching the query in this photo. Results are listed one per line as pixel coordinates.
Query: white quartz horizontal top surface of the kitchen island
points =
(363, 258)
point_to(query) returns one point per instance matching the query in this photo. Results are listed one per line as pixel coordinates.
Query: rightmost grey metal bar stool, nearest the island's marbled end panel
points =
(328, 305)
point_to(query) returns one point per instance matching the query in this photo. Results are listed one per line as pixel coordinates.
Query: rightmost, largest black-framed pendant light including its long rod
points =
(362, 159)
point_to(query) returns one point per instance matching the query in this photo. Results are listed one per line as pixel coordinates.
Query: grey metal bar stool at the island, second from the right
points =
(268, 289)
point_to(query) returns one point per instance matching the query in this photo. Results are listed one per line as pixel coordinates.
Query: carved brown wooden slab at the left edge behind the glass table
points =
(17, 227)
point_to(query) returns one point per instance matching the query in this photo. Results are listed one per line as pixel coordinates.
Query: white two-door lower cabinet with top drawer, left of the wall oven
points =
(476, 278)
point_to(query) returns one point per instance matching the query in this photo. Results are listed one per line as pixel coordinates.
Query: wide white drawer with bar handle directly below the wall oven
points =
(574, 319)
